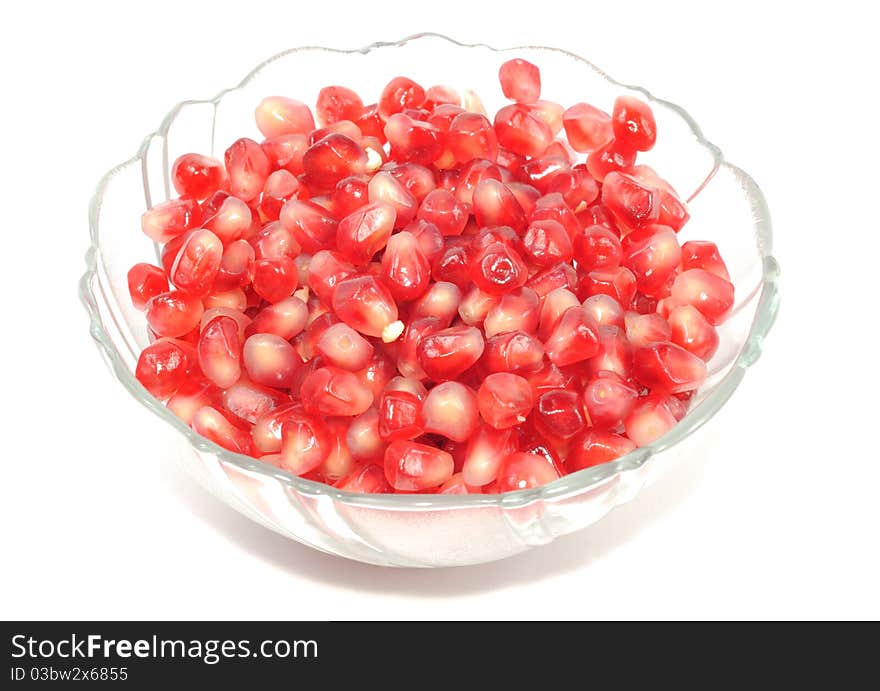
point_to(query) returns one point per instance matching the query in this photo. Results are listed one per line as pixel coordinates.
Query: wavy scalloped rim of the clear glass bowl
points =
(567, 485)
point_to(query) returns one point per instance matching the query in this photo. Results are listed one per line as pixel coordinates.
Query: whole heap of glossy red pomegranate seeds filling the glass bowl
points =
(408, 296)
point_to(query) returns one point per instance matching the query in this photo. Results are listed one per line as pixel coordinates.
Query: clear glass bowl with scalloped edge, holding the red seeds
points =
(726, 206)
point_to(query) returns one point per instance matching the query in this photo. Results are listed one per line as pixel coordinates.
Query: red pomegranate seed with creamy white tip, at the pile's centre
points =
(366, 305)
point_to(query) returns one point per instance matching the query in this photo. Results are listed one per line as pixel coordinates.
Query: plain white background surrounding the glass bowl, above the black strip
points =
(778, 519)
